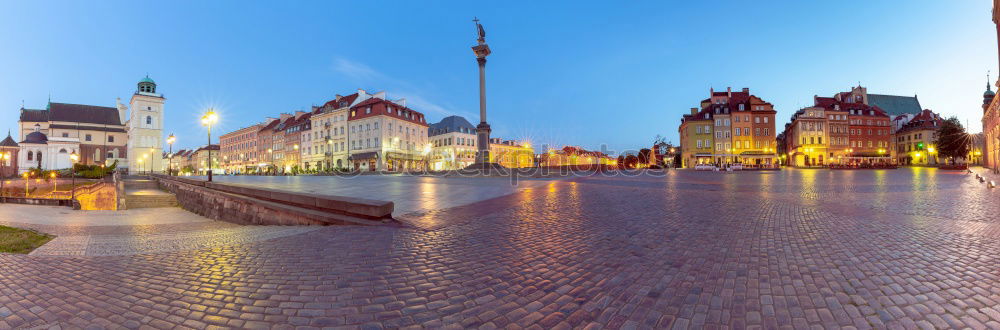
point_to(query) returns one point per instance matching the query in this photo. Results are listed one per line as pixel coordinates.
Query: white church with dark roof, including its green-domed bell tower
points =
(98, 135)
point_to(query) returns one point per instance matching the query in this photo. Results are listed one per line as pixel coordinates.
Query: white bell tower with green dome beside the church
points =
(145, 129)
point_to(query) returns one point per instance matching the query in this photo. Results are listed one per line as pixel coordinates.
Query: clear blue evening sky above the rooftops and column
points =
(562, 73)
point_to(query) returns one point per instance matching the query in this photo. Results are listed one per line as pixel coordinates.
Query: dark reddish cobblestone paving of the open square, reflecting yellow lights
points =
(904, 248)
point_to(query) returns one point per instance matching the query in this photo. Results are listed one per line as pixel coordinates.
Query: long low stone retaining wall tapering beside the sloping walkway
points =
(255, 206)
